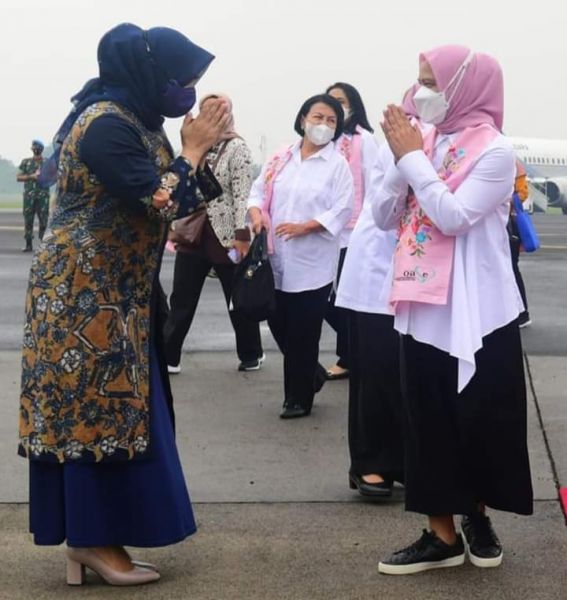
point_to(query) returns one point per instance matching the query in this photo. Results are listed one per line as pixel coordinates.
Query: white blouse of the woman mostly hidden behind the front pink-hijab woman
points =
(369, 252)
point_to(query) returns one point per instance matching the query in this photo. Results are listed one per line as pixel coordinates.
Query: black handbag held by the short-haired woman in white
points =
(253, 290)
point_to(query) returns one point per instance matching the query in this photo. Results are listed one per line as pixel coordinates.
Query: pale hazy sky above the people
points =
(271, 55)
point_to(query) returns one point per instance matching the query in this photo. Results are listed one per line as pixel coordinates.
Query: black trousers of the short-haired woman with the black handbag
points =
(296, 327)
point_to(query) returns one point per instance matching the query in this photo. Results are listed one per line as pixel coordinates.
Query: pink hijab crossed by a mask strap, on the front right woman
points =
(479, 97)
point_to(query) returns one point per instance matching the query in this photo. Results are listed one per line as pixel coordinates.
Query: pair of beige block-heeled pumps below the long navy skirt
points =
(79, 558)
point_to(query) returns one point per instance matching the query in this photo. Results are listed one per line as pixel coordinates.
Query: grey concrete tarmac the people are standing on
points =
(276, 517)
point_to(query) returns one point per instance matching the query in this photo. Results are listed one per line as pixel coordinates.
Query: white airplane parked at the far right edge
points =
(546, 166)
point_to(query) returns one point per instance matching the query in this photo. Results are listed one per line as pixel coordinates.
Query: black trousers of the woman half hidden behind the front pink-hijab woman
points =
(375, 398)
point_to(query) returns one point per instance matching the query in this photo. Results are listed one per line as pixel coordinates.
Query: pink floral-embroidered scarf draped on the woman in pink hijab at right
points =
(423, 259)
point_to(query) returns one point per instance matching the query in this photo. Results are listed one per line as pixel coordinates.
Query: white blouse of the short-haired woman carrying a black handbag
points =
(321, 188)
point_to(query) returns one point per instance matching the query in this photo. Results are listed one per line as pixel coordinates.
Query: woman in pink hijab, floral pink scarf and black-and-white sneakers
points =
(456, 304)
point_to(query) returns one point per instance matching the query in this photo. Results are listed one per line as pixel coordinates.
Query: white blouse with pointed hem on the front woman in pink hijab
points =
(483, 294)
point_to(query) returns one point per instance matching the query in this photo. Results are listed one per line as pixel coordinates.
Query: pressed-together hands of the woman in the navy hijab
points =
(199, 134)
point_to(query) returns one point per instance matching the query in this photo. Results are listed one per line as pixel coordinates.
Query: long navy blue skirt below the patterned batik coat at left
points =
(136, 503)
